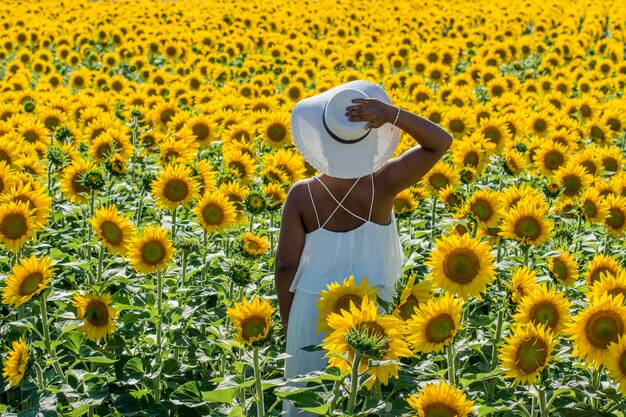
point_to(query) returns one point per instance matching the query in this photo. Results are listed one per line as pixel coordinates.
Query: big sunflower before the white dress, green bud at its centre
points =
(363, 322)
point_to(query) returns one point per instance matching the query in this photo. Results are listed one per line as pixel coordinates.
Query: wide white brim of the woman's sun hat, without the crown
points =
(328, 155)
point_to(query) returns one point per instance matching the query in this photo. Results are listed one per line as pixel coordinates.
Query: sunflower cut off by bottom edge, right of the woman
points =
(441, 400)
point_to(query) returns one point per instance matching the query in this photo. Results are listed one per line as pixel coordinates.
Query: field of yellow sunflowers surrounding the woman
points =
(145, 153)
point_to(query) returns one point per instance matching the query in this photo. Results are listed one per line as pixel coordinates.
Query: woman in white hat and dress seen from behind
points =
(340, 223)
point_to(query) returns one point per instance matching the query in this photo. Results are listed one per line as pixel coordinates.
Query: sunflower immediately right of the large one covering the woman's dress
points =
(434, 325)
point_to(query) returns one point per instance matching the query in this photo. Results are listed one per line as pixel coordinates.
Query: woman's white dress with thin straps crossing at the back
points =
(371, 250)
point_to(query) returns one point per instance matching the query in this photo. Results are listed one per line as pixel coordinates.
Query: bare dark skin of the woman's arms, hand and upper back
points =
(298, 216)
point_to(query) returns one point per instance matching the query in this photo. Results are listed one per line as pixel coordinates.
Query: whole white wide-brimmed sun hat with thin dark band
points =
(336, 146)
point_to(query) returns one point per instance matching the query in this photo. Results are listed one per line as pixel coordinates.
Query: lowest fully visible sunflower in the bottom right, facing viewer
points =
(526, 352)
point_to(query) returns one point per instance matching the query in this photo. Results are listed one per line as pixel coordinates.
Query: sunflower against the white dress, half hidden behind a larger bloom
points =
(337, 297)
